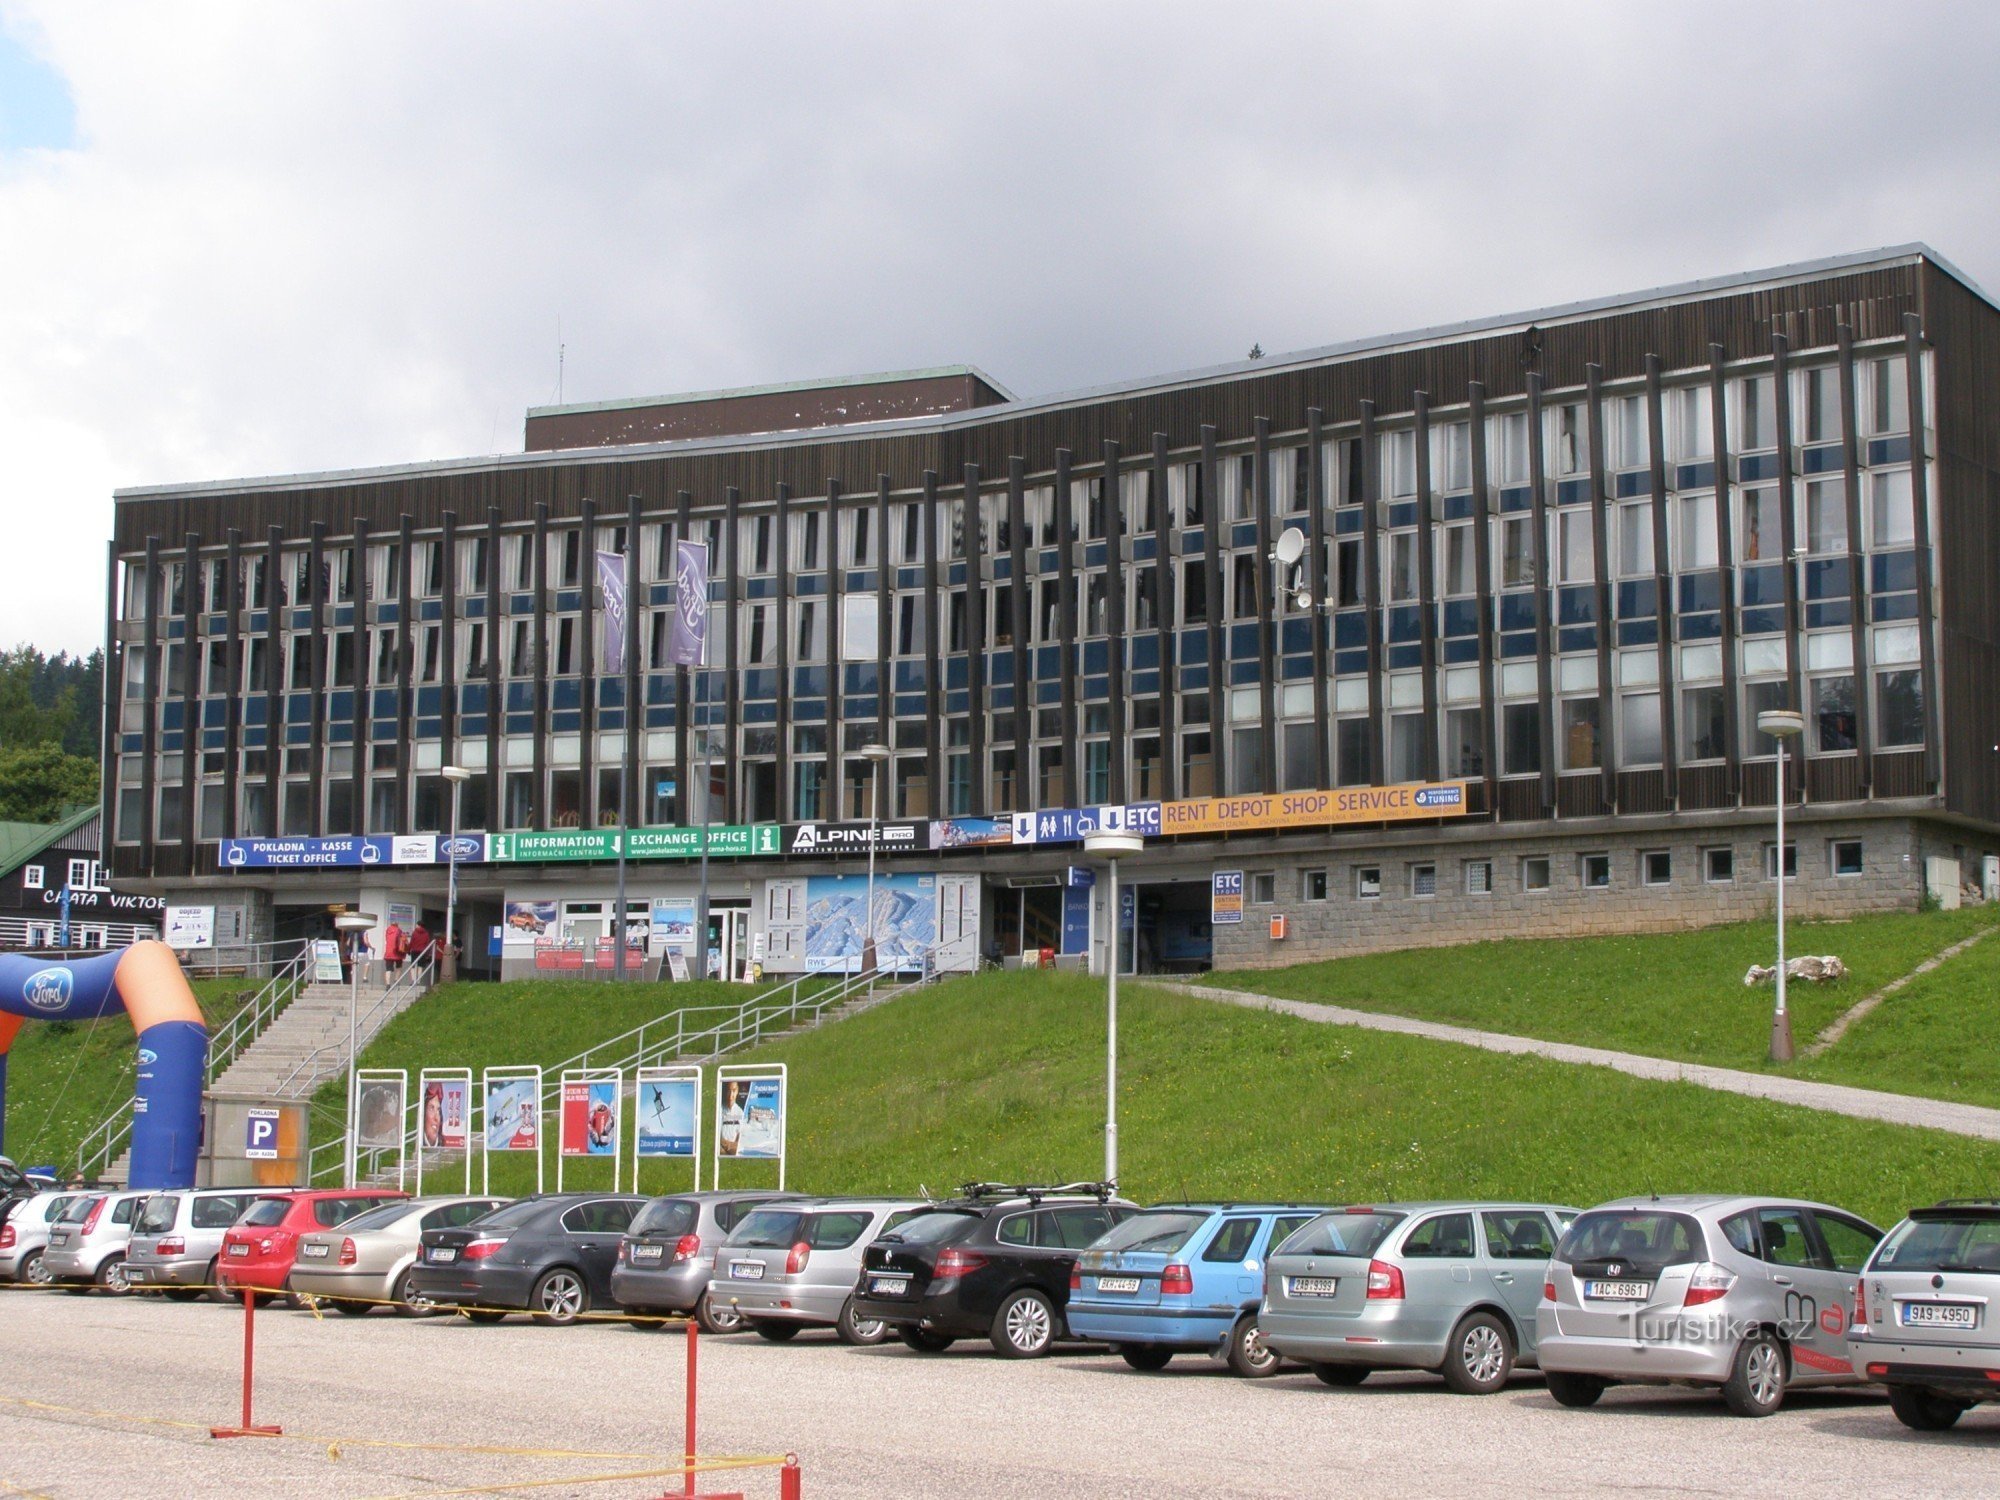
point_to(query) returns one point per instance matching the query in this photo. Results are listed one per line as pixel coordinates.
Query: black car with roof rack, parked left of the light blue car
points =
(991, 1265)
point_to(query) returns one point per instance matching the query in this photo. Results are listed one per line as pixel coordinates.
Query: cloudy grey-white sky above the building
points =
(253, 239)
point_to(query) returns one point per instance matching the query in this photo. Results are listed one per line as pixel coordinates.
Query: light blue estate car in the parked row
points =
(1183, 1279)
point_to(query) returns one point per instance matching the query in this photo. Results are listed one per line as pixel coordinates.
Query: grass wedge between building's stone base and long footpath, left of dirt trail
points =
(1667, 995)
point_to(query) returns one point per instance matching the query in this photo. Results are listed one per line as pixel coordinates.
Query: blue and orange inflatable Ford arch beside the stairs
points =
(173, 1043)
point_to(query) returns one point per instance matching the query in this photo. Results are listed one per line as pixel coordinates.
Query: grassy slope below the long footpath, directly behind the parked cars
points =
(1003, 1077)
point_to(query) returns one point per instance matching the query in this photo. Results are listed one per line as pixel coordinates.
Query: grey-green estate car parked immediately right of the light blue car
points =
(1445, 1287)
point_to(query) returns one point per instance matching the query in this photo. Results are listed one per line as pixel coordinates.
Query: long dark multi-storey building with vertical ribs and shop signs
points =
(1549, 573)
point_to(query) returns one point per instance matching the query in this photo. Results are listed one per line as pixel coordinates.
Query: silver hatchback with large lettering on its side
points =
(1745, 1295)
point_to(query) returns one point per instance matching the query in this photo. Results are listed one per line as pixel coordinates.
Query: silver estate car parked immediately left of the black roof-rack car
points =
(791, 1267)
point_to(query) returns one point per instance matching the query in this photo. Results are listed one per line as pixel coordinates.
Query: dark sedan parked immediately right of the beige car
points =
(549, 1255)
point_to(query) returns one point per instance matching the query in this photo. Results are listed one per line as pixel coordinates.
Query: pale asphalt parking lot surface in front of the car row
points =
(865, 1423)
